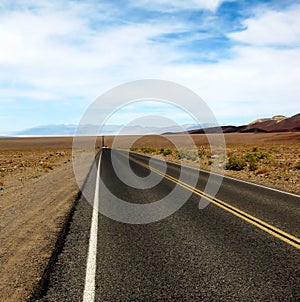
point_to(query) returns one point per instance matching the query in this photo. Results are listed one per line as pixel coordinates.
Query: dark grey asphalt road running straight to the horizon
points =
(193, 255)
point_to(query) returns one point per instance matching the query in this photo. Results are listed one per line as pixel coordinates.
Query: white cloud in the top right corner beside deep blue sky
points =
(269, 28)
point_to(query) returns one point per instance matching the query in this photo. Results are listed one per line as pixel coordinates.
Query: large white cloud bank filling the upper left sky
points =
(58, 51)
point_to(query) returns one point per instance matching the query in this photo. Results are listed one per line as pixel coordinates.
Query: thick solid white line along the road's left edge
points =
(89, 286)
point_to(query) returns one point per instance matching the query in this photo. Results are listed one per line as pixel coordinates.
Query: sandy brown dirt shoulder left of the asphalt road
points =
(37, 191)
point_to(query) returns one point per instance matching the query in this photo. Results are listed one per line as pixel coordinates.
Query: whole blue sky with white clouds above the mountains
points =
(241, 57)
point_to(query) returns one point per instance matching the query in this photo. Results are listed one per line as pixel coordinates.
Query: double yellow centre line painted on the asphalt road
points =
(288, 238)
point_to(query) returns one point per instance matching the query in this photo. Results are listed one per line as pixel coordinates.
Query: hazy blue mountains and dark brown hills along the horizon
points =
(276, 123)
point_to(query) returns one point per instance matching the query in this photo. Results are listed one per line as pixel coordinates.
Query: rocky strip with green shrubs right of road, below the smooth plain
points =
(276, 166)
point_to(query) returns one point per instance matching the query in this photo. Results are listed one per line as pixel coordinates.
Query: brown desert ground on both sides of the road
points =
(38, 189)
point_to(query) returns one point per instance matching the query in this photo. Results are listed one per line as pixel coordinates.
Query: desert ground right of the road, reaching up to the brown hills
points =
(271, 159)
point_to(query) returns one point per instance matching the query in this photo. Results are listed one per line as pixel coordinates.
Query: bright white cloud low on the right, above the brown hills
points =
(256, 82)
